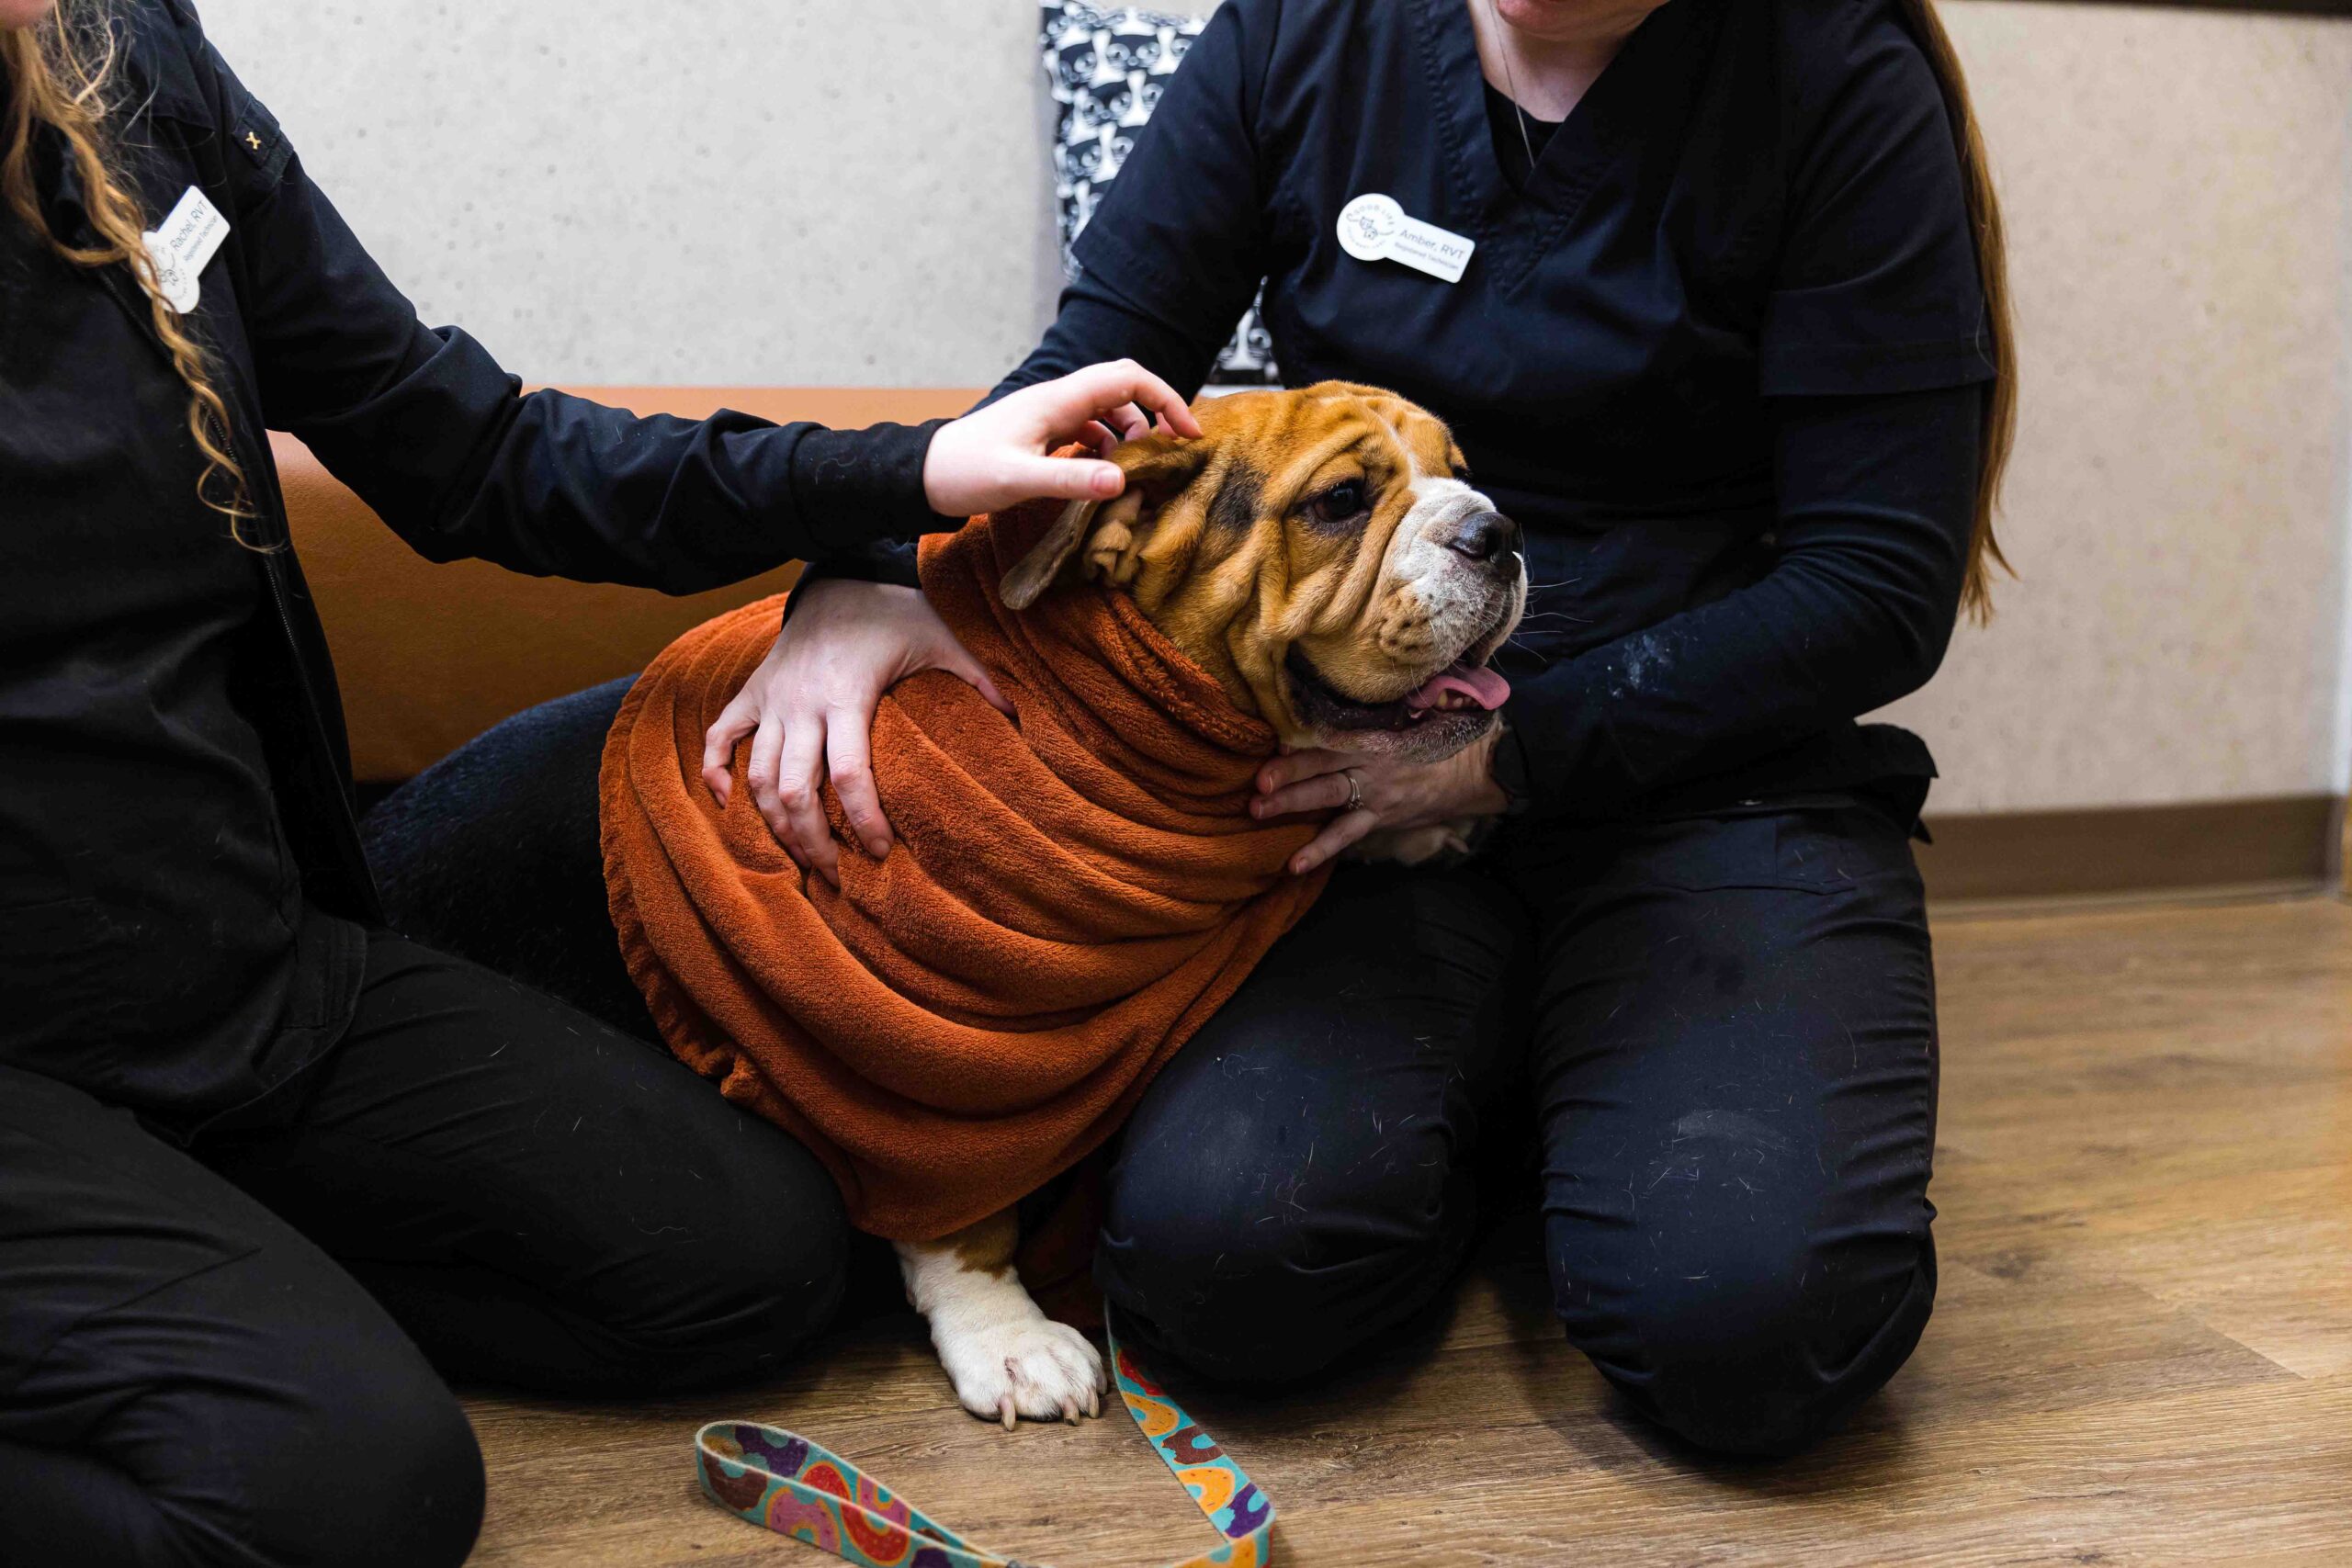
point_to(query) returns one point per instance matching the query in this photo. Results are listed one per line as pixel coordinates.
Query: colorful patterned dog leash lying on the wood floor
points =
(789, 1485)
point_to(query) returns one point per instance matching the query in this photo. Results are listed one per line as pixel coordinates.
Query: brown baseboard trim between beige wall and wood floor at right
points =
(2134, 852)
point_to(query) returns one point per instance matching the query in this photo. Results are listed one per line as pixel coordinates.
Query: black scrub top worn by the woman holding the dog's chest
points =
(1723, 354)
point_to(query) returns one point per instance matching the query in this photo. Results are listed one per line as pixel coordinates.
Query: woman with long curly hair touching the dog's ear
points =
(267, 1170)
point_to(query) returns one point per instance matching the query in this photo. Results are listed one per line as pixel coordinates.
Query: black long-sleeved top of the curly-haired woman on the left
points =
(182, 890)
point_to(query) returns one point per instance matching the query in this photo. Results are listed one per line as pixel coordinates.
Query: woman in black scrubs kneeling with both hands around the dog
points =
(1732, 349)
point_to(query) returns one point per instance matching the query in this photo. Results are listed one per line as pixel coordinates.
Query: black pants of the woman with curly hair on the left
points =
(236, 1355)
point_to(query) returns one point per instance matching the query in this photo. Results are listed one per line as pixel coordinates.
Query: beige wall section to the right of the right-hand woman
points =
(2179, 199)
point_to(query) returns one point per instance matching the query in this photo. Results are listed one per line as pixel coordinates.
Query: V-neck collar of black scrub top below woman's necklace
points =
(1652, 81)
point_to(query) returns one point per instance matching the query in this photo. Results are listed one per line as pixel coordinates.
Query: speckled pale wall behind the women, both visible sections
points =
(831, 192)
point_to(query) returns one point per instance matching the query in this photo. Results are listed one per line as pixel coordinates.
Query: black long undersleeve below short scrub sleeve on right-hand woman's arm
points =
(1878, 497)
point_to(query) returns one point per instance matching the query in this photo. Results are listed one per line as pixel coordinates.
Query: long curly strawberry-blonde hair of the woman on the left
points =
(58, 76)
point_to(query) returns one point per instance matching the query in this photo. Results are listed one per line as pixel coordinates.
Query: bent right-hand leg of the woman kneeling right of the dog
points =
(1737, 1073)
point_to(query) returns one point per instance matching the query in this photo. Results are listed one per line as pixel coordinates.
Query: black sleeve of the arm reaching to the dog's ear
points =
(448, 450)
